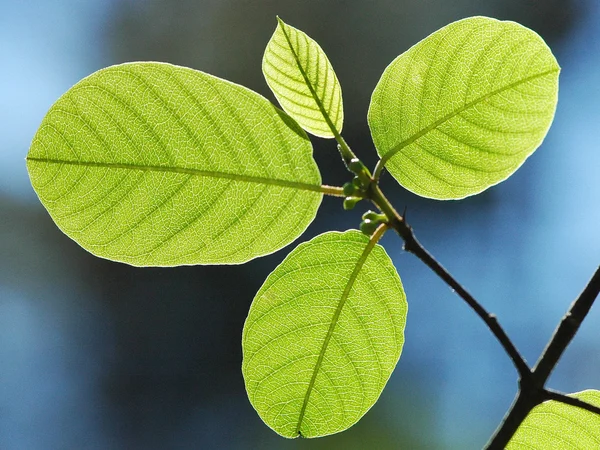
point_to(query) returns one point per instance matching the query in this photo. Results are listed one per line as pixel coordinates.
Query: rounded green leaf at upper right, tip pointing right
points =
(461, 110)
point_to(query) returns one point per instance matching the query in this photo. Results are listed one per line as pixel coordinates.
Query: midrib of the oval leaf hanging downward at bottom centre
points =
(359, 265)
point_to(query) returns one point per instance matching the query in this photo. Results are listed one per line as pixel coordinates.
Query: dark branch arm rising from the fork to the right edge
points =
(566, 329)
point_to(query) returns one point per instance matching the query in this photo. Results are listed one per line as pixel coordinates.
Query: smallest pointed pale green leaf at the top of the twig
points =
(302, 78)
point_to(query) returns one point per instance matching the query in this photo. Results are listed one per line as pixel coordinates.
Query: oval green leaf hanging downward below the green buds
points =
(323, 335)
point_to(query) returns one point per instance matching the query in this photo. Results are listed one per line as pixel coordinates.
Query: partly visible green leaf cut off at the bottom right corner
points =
(554, 425)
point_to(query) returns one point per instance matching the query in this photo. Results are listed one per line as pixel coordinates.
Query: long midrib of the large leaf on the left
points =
(188, 171)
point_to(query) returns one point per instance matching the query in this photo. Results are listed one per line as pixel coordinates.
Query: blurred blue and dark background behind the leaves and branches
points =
(100, 355)
